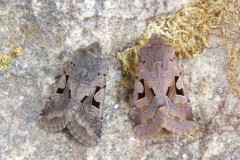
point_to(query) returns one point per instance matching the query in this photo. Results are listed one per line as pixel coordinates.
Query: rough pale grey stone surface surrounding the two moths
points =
(51, 30)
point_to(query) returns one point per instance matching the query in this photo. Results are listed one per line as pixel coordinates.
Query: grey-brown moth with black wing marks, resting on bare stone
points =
(77, 101)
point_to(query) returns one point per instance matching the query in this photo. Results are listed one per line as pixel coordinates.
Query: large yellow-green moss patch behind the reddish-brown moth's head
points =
(189, 31)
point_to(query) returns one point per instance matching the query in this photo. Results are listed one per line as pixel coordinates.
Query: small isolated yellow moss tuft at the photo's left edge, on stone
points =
(5, 60)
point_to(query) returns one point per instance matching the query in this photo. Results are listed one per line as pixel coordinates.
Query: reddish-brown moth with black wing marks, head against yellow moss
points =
(160, 98)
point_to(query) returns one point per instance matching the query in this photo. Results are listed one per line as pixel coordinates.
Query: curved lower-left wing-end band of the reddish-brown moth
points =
(153, 127)
